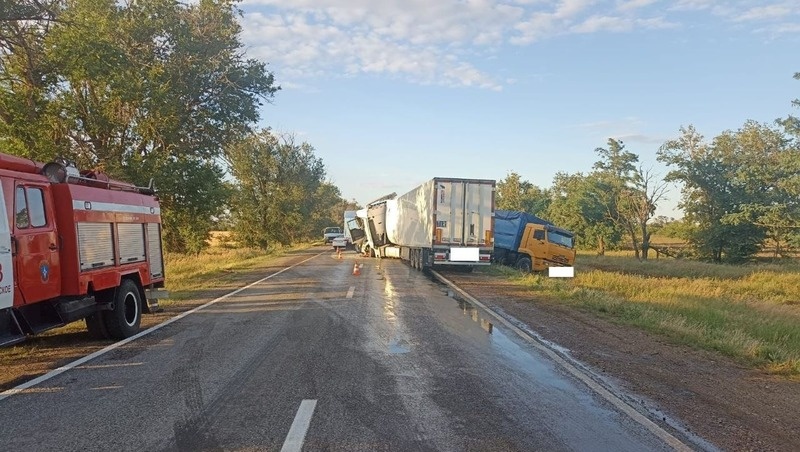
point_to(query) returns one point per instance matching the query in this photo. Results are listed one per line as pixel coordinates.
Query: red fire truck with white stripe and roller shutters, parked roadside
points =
(75, 245)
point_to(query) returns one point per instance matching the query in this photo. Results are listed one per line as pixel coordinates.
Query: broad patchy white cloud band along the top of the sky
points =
(449, 42)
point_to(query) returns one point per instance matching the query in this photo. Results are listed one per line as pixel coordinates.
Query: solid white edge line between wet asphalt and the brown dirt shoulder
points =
(603, 392)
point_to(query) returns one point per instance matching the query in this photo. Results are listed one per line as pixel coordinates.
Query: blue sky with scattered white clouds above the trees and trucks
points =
(392, 93)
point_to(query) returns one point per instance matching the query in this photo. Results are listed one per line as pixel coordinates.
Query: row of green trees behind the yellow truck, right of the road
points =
(740, 193)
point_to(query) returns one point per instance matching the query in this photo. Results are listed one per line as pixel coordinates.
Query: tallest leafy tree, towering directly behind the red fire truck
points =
(144, 89)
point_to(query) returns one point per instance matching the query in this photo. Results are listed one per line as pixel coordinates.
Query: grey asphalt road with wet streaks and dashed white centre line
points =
(318, 358)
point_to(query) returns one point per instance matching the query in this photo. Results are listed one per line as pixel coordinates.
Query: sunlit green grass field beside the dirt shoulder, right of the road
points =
(751, 313)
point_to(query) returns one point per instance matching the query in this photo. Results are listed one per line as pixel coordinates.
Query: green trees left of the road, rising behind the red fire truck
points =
(159, 89)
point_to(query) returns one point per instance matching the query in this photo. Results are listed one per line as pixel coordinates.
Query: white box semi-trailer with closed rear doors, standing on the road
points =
(443, 222)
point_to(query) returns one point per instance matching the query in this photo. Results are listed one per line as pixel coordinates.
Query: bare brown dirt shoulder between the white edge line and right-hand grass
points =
(728, 404)
